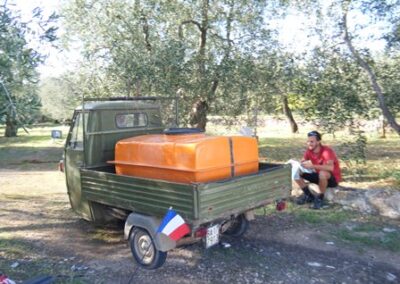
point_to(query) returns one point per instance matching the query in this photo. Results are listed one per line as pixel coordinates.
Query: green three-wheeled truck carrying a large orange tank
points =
(99, 195)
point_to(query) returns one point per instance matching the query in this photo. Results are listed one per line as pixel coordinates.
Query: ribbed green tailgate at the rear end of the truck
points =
(221, 199)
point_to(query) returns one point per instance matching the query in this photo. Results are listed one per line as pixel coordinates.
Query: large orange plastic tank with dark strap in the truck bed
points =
(186, 158)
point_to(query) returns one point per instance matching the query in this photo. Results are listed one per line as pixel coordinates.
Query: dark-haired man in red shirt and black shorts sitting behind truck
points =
(326, 171)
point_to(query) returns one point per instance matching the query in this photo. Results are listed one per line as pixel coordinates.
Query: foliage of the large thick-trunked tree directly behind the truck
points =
(200, 50)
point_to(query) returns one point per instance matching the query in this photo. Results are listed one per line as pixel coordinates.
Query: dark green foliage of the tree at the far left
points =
(19, 102)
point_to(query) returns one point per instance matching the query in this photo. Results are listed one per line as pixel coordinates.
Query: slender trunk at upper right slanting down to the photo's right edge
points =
(372, 77)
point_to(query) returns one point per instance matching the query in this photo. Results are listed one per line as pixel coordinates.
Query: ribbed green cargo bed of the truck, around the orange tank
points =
(197, 202)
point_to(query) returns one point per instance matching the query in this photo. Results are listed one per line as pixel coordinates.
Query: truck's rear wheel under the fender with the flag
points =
(144, 250)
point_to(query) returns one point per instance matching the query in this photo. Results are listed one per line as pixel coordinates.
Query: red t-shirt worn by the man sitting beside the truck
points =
(322, 157)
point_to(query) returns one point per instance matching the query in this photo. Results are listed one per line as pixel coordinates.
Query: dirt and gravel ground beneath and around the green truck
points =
(40, 235)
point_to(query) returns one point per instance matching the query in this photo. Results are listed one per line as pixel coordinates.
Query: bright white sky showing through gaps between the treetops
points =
(294, 35)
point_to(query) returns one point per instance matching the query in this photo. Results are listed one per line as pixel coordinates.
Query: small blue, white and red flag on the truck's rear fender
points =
(173, 225)
